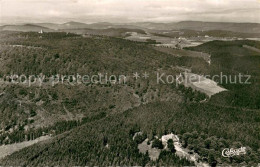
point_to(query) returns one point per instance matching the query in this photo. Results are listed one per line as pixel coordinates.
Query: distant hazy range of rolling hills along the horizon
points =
(218, 29)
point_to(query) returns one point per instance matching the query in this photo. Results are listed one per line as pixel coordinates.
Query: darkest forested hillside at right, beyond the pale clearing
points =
(231, 58)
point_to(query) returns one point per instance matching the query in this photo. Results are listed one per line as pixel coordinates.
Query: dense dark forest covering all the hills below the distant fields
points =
(94, 124)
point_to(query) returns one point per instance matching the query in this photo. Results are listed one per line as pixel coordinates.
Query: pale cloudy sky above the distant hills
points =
(16, 11)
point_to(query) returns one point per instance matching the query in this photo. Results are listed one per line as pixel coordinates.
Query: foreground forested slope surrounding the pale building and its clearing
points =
(204, 128)
